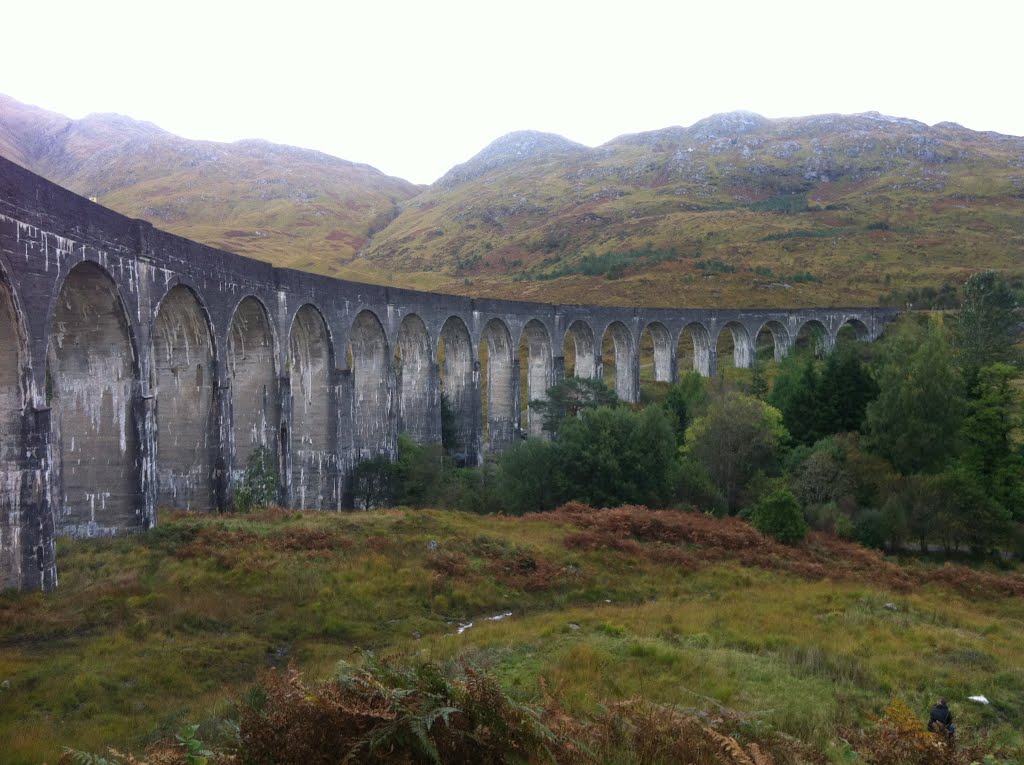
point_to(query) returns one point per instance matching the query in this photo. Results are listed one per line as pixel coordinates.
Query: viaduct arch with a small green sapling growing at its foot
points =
(252, 363)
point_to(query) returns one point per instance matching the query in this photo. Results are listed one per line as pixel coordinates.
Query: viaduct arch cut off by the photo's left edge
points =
(14, 358)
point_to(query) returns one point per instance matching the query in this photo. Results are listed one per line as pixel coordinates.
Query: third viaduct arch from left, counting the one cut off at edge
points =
(185, 381)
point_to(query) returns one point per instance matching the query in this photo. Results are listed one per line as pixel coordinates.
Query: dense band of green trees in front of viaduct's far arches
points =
(916, 439)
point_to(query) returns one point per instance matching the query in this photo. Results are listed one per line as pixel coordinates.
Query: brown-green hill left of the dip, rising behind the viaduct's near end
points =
(291, 206)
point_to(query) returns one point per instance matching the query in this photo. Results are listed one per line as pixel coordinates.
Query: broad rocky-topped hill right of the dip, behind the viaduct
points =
(734, 210)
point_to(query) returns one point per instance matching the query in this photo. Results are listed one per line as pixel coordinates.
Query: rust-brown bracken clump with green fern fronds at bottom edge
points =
(382, 713)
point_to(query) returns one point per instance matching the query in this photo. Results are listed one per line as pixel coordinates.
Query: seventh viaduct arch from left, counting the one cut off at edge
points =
(418, 414)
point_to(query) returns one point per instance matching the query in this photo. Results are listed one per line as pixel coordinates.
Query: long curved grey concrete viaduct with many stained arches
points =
(139, 369)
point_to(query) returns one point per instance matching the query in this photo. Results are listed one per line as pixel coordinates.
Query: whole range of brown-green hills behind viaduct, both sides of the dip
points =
(735, 210)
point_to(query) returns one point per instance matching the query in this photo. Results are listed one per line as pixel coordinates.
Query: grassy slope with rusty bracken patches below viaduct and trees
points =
(151, 632)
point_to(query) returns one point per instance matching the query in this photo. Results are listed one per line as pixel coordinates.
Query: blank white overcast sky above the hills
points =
(414, 89)
